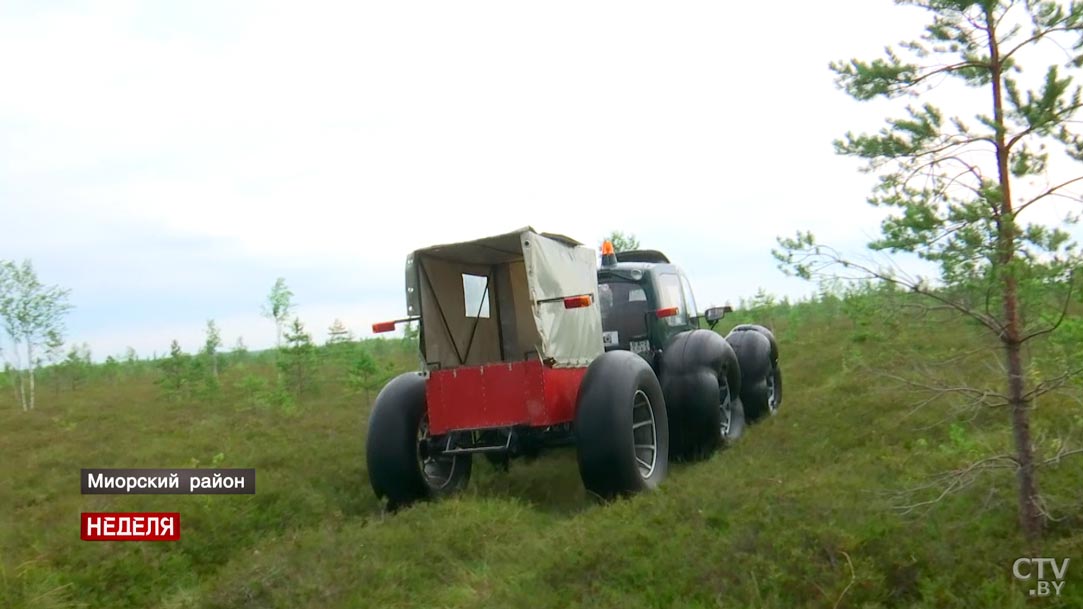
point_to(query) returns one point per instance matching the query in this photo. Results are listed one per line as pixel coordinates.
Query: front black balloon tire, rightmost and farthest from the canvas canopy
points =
(761, 374)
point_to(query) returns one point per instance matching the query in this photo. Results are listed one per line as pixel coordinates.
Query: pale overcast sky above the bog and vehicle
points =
(168, 161)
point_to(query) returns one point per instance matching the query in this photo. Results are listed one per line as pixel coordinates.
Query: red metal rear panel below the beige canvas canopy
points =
(502, 395)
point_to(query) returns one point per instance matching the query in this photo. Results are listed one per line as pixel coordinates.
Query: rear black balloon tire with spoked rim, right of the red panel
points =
(621, 426)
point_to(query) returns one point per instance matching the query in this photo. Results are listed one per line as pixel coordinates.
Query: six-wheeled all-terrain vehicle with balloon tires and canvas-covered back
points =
(527, 345)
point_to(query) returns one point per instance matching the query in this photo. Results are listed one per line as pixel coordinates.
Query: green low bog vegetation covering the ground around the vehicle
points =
(837, 502)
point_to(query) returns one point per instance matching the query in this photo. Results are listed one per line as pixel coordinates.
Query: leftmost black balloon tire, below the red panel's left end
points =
(400, 465)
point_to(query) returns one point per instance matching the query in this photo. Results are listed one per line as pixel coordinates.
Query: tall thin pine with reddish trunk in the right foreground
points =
(961, 190)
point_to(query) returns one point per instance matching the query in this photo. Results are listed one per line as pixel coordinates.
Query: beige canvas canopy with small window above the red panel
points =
(502, 300)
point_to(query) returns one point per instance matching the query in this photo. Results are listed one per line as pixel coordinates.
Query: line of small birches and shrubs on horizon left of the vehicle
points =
(33, 317)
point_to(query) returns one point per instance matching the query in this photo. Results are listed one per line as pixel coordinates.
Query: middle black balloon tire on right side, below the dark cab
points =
(701, 381)
